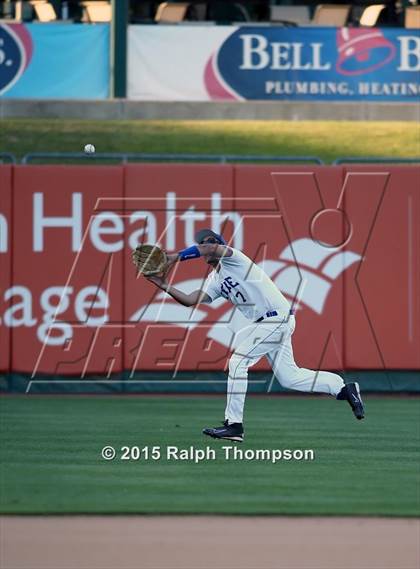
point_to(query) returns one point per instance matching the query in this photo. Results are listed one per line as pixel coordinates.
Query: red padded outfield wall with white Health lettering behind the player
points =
(342, 241)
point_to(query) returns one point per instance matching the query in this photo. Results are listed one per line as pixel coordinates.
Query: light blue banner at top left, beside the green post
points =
(54, 61)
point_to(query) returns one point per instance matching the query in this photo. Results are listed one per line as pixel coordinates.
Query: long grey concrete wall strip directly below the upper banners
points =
(250, 110)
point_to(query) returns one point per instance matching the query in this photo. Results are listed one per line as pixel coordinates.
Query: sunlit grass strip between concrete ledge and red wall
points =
(326, 139)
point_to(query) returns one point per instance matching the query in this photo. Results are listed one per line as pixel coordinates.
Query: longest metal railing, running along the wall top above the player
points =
(141, 157)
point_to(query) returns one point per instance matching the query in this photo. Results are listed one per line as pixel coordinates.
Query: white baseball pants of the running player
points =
(272, 338)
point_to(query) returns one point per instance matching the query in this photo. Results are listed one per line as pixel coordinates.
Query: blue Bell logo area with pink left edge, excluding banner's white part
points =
(332, 64)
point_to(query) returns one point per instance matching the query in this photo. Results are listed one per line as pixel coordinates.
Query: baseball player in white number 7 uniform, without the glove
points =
(272, 323)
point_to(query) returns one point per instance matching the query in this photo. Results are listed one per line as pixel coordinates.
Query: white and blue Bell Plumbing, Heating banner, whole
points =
(234, 63)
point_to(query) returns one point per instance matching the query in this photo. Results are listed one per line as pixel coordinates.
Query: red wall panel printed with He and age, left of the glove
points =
(67, 271)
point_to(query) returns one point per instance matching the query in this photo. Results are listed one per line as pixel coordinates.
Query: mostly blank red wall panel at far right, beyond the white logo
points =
(382, 299)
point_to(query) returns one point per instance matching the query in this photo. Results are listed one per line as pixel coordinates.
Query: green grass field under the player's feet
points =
(51, 463)
